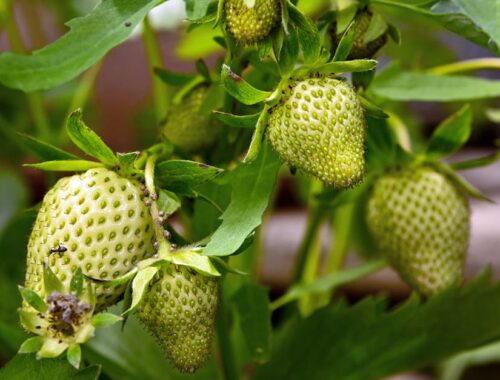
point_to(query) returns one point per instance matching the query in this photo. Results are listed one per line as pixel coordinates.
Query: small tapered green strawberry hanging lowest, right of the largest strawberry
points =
(179, 310)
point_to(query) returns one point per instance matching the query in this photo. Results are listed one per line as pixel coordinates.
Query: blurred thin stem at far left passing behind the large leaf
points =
(35, 100)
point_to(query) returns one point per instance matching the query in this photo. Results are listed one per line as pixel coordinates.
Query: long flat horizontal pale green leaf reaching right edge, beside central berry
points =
(402, 86)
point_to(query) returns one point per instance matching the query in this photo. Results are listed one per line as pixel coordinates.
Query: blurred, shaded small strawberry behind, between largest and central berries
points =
(188, 126)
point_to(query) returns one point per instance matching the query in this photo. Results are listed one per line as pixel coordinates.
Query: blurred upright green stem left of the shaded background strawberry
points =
(161, 92)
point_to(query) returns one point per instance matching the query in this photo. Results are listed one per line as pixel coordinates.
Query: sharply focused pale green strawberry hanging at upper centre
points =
(319, 127)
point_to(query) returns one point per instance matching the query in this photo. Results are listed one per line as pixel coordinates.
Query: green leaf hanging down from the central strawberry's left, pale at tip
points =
(253, 184)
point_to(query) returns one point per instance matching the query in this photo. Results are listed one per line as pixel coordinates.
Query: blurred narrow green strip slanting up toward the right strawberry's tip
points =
(328, 283)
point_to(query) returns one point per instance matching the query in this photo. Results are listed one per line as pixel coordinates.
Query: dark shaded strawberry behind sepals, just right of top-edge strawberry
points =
(360, 49)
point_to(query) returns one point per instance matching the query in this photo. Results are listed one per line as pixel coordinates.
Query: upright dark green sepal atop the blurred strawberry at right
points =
(451, 134)
